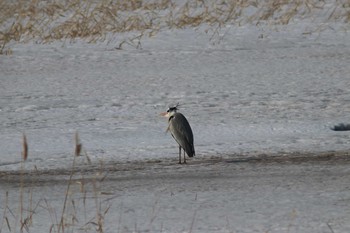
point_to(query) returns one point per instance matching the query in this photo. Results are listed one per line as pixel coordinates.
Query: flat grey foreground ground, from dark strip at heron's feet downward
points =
(299, 193)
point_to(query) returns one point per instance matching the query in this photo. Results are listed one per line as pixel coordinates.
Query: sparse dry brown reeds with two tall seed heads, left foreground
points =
(20, 218)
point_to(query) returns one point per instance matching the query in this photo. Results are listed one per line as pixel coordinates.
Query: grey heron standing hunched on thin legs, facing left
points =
(181, 131)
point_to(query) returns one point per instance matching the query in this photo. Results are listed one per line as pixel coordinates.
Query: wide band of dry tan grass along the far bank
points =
(47, 21)
